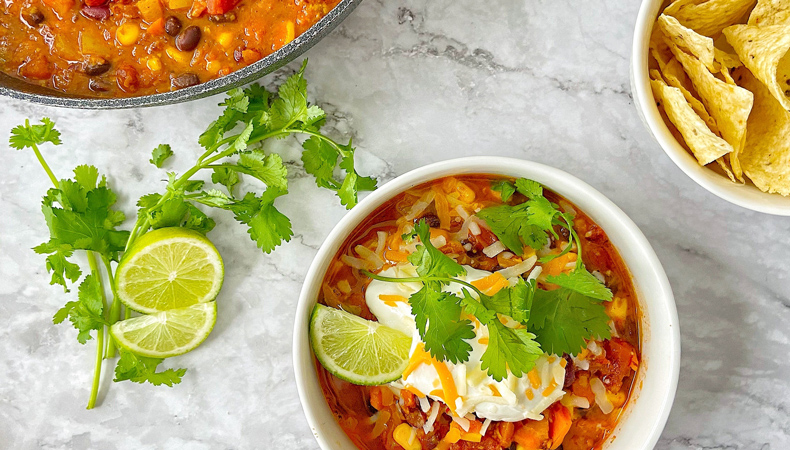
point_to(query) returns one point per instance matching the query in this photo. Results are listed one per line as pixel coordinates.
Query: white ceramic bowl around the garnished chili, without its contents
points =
(647, 411)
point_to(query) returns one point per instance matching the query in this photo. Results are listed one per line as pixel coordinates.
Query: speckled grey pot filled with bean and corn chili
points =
(110, 54)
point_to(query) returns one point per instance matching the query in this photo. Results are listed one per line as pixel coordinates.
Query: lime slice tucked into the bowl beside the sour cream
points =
(357, 350)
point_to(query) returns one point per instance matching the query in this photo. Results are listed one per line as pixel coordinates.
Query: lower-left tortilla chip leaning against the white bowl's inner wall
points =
(706, 146)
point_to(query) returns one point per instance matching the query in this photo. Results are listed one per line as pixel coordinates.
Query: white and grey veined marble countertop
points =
(413, 82)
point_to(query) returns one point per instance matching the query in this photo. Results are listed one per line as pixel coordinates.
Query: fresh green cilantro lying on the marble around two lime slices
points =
(81, 213)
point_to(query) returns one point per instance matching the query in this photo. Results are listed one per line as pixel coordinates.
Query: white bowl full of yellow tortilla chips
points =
(711, 81)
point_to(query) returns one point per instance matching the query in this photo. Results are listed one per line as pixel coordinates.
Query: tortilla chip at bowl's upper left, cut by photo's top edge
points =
(709, 17)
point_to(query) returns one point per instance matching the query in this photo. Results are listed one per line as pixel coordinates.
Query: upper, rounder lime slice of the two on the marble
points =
(169, 268)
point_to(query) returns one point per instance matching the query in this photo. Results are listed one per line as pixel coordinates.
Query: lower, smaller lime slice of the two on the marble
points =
(168, 333)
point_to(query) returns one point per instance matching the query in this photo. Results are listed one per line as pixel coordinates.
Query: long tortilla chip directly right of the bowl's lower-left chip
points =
(728, 104)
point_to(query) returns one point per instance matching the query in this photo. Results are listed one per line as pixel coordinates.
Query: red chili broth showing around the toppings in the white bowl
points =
(369, 414)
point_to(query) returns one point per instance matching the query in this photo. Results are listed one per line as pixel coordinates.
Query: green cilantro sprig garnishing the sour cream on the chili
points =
(555, 321)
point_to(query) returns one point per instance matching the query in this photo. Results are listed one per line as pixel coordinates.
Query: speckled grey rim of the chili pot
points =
(242, 76)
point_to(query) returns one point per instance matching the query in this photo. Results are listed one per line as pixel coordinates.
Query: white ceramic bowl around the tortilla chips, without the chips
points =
(746, 196)
